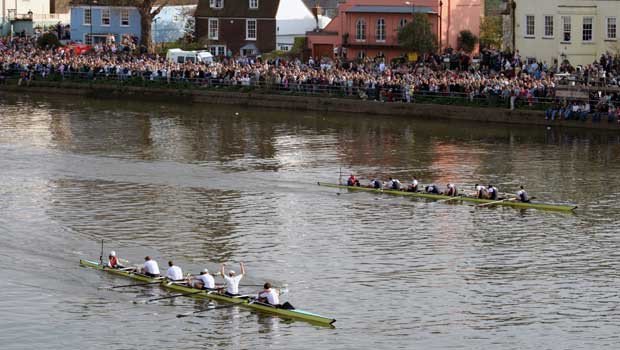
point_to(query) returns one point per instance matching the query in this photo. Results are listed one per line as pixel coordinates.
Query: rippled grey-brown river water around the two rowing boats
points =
(204, 185)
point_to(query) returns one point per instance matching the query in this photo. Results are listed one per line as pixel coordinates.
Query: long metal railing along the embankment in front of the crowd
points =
(392, 93)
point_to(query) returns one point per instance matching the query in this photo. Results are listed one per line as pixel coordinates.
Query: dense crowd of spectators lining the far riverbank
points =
(495, 75)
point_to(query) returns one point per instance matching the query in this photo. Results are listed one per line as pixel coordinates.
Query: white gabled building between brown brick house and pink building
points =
(294, 19)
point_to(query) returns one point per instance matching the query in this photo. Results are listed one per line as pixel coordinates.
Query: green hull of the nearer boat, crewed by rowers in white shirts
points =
(244, 302)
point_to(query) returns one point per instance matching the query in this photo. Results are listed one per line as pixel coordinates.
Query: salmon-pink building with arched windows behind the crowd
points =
(370, 27)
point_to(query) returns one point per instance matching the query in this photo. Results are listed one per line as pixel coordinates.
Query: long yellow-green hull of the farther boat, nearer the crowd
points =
(507, 202)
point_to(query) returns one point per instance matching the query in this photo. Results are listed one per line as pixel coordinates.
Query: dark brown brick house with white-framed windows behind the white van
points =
(237, 27)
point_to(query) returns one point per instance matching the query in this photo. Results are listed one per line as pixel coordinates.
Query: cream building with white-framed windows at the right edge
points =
(576, 30)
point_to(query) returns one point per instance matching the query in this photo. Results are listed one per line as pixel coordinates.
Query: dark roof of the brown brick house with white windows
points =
(239, 9)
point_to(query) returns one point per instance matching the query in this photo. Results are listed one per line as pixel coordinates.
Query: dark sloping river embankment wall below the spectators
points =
(263, 99)
